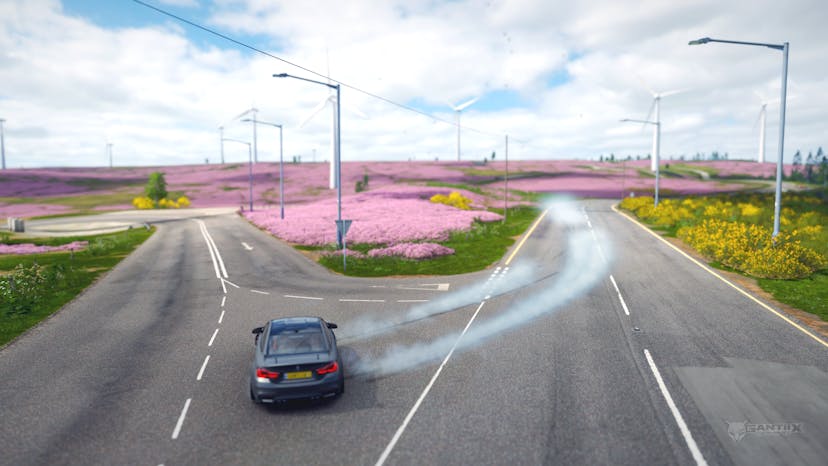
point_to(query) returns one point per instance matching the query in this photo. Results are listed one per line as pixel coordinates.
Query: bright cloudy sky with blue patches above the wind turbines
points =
(554, 75)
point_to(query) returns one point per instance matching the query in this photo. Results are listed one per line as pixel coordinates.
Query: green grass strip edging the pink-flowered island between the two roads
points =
(475, 250)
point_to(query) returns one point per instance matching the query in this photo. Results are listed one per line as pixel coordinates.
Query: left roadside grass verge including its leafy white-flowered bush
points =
(64, 275)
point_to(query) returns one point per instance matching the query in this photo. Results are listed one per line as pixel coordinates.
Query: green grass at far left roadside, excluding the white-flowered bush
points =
(79, 271)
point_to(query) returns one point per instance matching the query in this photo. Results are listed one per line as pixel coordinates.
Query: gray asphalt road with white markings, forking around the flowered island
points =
(659, 363)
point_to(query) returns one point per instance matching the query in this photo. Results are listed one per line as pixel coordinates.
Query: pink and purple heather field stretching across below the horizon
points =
(392, 211)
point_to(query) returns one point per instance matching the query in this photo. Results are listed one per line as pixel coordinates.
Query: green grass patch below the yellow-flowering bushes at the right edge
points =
(809, 294)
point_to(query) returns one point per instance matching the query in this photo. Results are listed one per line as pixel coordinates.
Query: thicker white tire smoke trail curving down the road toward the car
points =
(583, 268)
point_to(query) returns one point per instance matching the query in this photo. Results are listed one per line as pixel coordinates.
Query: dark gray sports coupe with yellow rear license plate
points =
(295, 358)
